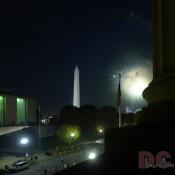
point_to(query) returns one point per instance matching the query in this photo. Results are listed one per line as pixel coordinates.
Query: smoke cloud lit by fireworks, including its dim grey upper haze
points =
(136, 71)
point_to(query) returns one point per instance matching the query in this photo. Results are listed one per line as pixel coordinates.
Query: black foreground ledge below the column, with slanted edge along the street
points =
(122, 148)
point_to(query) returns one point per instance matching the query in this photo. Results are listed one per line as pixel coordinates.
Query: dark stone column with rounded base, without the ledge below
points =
(160, 93)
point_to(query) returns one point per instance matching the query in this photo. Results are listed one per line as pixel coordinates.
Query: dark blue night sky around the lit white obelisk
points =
(43, 41)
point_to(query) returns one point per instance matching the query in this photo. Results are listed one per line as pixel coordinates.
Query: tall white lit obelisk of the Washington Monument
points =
(76, 95)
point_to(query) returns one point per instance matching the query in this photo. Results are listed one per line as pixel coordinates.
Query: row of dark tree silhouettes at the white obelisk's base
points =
(89, 117)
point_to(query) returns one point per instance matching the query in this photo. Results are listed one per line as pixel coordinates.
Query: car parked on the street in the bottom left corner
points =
(19, 166)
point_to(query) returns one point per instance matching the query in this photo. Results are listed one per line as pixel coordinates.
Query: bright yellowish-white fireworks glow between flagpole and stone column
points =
(133, 82)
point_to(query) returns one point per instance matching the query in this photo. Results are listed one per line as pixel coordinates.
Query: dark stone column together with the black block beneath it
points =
(155, 130)
